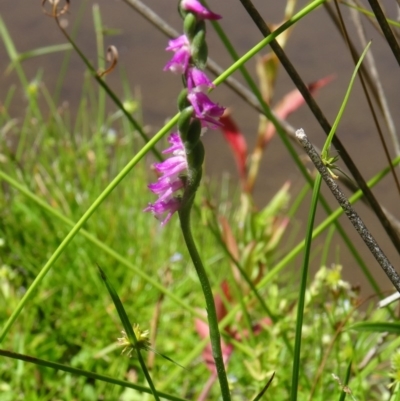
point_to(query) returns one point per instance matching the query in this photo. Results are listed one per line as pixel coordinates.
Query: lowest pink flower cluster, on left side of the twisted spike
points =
(169, 182)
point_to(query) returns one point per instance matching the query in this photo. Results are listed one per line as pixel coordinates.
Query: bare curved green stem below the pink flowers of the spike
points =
(215, 336)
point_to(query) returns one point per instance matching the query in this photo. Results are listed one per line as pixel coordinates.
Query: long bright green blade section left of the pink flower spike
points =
(149, 145)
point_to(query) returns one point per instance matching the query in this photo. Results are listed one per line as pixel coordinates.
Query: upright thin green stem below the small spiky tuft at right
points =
(303, 288)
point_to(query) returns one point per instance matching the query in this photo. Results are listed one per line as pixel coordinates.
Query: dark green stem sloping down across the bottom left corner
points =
(85, 373)
